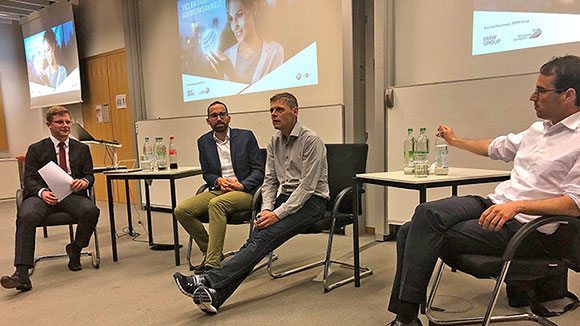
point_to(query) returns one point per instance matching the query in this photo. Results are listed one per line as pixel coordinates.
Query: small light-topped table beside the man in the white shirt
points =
(455, 178)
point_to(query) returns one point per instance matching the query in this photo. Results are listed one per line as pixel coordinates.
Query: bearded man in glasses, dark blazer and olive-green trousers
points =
(232, 166)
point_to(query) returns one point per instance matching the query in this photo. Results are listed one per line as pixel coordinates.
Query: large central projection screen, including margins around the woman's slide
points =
(300, 50)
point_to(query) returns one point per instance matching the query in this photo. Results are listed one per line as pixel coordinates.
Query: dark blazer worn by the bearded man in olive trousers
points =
(246, 159)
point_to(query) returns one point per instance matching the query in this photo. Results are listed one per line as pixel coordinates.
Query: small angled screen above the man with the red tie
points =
(52, 58)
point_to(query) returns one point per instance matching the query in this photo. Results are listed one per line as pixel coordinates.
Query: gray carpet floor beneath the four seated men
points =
(139, 288)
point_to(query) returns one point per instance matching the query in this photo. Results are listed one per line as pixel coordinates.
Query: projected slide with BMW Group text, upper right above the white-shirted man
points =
(505, 25)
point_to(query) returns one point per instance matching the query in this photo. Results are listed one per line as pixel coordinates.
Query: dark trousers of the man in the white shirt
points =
(447, 226)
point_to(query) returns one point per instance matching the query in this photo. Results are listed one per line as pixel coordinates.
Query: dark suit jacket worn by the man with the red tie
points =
(42, 152)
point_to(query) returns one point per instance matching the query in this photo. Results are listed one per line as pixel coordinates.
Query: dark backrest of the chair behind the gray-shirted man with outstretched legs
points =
(344, 162)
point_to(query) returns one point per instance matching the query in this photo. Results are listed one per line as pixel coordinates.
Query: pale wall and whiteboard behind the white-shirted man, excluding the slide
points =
(437, 81)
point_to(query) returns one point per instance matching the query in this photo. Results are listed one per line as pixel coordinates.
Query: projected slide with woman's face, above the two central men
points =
(231, 47)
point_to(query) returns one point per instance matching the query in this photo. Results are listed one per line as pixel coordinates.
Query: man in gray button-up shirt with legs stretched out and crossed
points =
(296, 164)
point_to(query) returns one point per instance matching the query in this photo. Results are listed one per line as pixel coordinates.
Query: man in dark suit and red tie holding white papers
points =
(39, 201)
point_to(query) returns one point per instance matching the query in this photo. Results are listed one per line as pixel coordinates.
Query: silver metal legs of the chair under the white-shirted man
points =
(488, 318)
